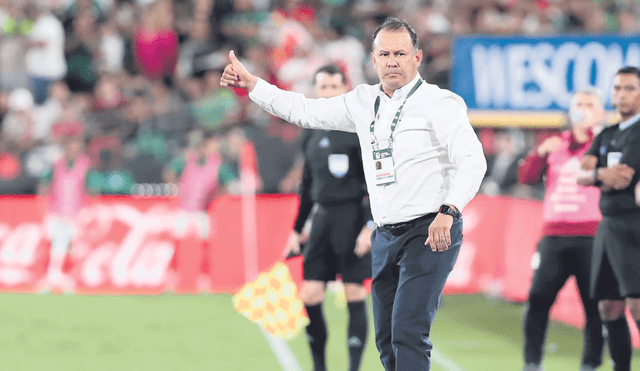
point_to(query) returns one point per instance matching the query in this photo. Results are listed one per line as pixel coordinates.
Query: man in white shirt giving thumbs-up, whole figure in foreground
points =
(431, 166)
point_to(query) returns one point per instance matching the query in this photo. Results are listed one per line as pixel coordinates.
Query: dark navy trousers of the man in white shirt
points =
(408, 279)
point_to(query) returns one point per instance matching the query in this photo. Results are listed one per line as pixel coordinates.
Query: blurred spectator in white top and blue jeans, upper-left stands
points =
(45, 55)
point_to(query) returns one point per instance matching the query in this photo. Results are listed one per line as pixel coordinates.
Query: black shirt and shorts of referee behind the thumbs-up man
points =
(334, 180)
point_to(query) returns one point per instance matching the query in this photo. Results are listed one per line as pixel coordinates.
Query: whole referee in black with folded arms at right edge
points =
(613, 164)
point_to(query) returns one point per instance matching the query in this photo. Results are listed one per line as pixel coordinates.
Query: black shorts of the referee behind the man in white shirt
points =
(329, 250)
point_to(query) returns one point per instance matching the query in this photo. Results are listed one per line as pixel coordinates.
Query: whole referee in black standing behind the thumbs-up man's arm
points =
(339, 240)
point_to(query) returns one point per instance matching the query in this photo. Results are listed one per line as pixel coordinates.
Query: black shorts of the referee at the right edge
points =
(616, 259)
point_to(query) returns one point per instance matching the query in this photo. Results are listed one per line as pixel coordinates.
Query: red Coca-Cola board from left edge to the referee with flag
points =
(129, 245)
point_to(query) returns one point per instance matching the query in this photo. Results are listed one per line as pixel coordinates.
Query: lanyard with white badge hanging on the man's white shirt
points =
(383, 159)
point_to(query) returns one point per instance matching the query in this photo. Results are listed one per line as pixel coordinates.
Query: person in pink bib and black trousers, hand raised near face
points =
(571, 217)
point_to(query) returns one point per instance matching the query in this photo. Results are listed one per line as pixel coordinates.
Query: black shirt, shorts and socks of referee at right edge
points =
(615, 271)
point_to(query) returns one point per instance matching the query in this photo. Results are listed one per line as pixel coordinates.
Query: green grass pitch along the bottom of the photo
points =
(169, 332)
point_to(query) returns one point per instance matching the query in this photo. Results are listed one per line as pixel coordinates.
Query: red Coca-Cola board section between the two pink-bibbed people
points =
(124, 246)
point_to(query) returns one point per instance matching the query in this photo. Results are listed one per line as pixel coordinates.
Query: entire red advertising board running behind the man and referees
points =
(129, 245)
